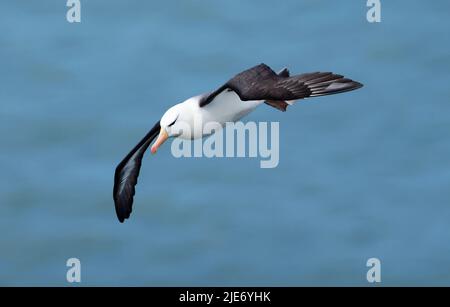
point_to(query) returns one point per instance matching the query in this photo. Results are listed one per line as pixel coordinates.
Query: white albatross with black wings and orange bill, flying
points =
(229, 103)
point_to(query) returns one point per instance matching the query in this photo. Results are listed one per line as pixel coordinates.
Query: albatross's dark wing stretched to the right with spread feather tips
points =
(262, 83)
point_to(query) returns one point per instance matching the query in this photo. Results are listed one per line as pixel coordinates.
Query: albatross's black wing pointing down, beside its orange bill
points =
(125, 177)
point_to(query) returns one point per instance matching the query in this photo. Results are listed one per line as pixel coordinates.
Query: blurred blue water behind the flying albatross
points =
(363, 174)
